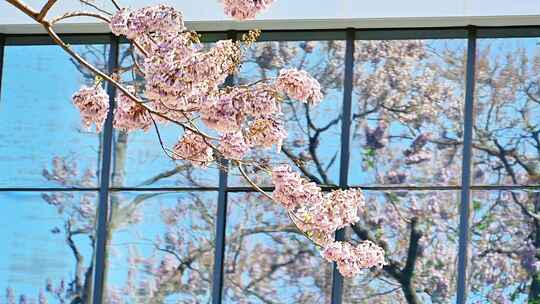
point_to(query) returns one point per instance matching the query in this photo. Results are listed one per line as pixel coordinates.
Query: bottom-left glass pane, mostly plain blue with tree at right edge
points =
(47, 246)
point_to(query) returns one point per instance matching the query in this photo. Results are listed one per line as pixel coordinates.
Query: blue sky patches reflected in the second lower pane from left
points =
(139, 239)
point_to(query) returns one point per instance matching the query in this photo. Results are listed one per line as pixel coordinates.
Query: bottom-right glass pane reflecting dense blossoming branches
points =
(504, 267)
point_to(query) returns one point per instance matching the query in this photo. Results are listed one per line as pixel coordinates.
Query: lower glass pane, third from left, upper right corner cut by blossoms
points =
(267, 259)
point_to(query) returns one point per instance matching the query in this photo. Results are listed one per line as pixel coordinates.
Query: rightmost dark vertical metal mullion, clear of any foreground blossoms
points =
(464, 208)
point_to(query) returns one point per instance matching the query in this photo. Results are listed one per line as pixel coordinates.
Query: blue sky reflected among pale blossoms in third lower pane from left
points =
(251, 211)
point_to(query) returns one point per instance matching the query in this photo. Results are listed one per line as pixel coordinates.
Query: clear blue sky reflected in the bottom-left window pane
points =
(29, 252)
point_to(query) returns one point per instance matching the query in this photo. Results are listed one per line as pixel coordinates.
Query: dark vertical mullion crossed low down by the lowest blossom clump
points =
(337, 279)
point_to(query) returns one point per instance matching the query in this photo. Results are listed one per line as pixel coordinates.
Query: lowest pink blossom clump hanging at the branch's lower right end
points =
(320, 215)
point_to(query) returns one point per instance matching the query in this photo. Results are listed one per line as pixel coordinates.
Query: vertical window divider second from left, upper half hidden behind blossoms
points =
(221, 216)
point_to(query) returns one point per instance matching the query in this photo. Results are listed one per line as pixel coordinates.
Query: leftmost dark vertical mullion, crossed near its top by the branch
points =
(103, 207)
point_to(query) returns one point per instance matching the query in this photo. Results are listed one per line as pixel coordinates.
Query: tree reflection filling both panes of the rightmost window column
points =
(506, 230)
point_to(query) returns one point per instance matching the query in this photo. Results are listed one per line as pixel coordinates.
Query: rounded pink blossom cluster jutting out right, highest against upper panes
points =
(299, 85)
